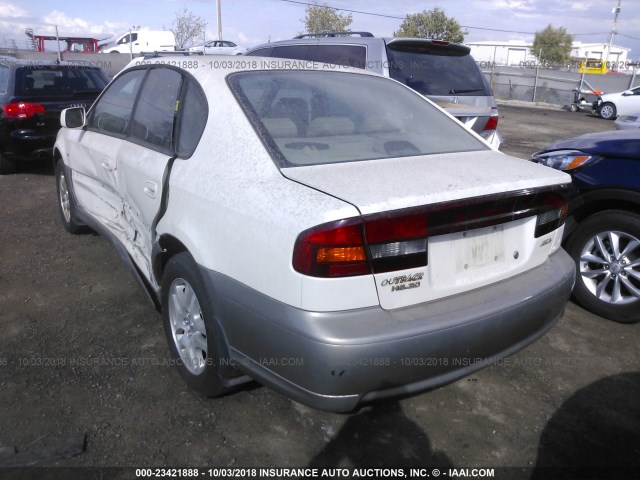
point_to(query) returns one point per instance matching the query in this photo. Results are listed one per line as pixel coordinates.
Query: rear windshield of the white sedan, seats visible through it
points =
(318, 117)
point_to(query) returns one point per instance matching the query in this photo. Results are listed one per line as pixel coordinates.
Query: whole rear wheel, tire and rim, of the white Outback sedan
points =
(195, 339)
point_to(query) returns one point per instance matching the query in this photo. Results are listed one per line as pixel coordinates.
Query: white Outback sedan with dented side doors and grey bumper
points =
(327, 232)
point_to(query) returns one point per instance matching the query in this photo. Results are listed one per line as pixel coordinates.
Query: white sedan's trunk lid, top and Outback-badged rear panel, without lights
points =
(458, 261)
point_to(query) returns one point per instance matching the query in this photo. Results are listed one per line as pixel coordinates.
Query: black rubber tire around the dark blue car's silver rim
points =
(610, 220)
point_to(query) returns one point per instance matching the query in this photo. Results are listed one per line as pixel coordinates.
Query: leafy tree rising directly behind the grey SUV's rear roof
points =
(431, 24)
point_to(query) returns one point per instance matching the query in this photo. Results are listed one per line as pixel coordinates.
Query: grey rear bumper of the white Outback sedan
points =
(336, 360)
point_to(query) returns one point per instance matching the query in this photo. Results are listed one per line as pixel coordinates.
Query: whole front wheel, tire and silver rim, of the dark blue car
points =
(606, 250)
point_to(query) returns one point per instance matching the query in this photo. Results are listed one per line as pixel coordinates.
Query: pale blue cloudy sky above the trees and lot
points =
(251, 22)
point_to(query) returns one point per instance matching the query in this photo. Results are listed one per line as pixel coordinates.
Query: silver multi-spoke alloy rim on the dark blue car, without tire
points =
(610, 267)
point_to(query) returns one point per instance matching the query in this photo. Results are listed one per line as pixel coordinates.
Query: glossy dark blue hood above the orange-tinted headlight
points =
(621, 143)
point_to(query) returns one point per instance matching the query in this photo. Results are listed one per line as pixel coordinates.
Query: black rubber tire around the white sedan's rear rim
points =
(209, 383)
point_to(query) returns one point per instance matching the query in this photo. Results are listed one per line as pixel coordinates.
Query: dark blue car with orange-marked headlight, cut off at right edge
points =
(602, 233)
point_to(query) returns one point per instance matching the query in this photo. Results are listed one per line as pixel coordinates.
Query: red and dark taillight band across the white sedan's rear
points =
(398, 240)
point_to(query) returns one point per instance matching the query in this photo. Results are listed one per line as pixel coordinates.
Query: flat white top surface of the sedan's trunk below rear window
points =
(389, 184)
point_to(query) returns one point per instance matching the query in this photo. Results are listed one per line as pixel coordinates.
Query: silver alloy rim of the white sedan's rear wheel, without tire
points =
(188, 330)
